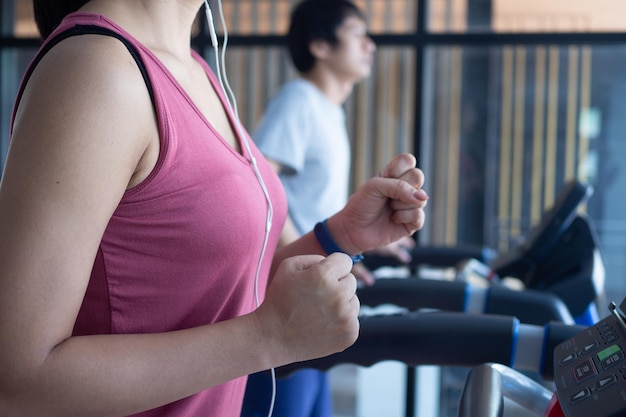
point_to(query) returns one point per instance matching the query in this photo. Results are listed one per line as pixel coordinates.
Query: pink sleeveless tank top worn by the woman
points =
(182, 247)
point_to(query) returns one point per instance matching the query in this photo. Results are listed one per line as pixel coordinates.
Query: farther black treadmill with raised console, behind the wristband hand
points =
(559, 265)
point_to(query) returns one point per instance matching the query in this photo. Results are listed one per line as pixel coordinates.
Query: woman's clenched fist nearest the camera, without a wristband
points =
(310, 309)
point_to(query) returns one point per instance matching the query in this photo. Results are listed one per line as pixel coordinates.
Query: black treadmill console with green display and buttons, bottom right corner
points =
(590, 368)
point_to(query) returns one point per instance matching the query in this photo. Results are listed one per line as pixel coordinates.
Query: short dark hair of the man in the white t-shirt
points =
(313, 20)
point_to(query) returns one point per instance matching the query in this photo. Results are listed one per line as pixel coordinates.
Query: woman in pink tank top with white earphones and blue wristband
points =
(140, 228)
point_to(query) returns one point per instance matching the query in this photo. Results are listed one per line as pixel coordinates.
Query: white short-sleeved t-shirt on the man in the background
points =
(306, 133)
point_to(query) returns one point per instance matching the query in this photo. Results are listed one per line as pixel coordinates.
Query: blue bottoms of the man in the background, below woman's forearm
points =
(304, 393)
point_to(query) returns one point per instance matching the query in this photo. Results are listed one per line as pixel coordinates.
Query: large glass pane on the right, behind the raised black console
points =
(506, 127)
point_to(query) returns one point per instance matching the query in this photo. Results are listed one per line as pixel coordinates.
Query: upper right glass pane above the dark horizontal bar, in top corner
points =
(526, 16)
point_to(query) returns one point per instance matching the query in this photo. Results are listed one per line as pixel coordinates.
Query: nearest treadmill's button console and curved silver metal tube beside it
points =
(589, 372)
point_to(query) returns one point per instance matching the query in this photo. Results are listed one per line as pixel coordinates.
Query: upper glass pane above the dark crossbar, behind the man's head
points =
(271, 17)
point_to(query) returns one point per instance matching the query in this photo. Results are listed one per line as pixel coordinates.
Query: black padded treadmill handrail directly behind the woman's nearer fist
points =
(439, 338)
